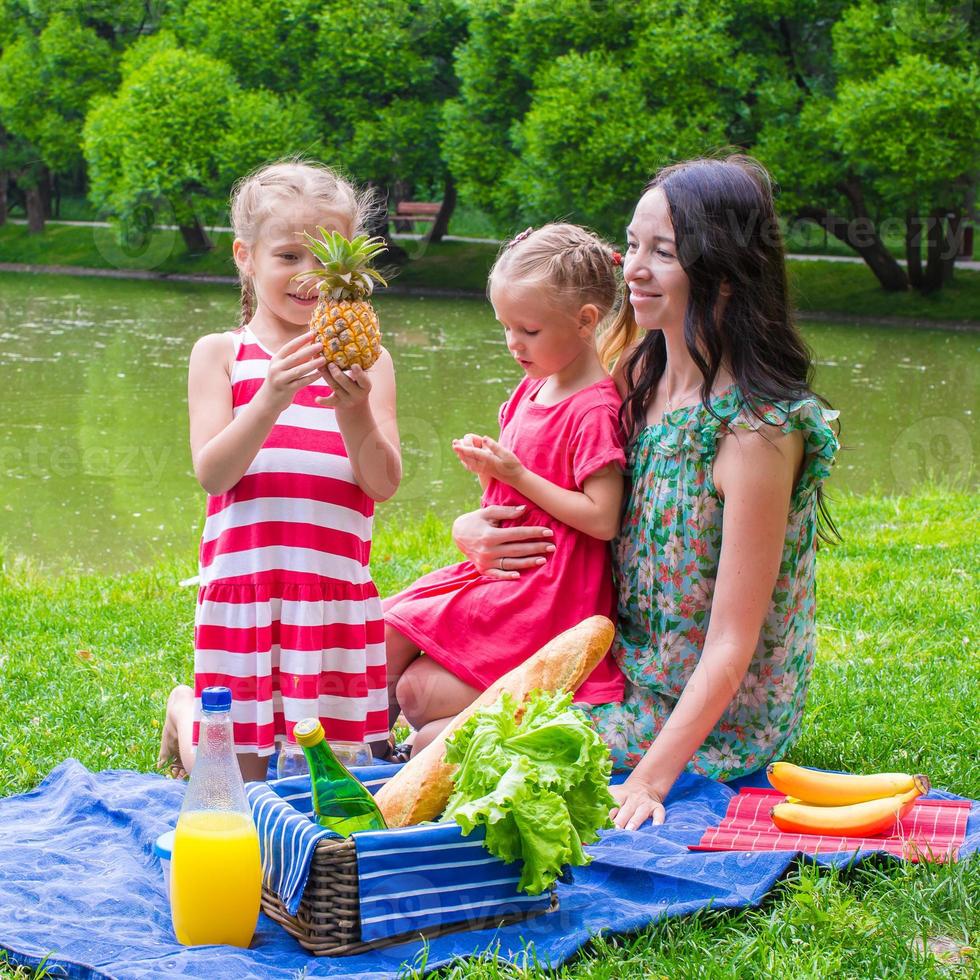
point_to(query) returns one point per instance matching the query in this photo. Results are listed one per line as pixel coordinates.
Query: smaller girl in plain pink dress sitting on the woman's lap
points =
(560, 456)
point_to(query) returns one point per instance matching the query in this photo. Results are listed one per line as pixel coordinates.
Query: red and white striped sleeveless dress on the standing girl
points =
(287, 614)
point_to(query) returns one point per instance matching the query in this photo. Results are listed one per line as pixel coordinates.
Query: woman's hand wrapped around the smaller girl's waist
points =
(501, 552)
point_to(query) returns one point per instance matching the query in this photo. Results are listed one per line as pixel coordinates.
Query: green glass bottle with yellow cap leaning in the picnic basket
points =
(341, 803)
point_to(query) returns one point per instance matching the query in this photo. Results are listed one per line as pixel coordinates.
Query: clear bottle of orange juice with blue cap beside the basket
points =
(216, 871)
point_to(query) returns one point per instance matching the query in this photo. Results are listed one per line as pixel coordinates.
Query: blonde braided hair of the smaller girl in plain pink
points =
(570, 260)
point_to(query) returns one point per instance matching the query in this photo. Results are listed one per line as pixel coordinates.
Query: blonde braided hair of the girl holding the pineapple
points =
(265, 192)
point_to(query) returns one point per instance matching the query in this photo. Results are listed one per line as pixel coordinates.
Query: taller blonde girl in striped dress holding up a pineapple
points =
(293, 455)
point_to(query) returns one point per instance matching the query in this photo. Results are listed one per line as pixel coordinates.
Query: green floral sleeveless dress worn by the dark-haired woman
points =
(665, 562)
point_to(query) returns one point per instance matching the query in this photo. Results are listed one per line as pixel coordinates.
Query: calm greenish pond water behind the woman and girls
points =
(95, 471)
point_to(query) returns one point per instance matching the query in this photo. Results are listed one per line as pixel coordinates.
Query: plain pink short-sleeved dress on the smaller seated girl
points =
(479, 628)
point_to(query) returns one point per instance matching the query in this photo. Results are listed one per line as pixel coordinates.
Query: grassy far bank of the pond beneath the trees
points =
(823, 288)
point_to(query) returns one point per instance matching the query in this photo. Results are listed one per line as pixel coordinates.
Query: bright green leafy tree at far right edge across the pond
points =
(906, 107)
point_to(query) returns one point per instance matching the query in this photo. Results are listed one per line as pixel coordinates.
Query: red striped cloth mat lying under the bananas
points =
(932, 831)
